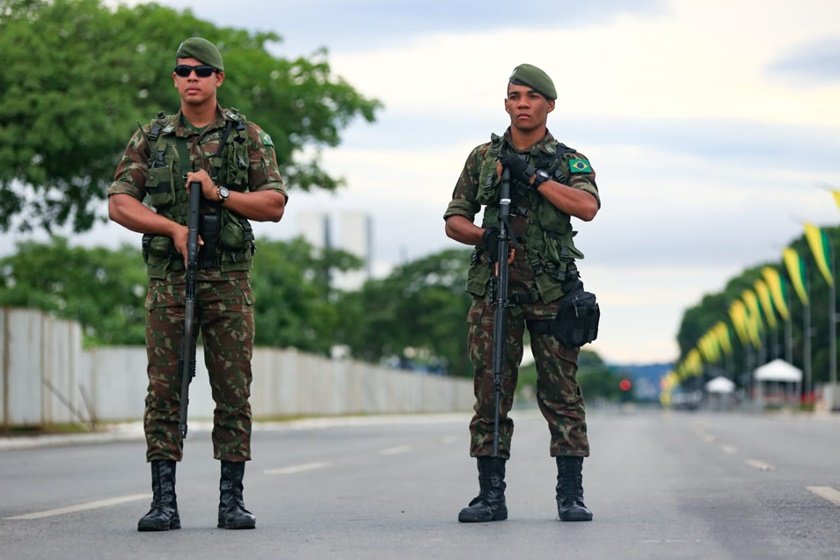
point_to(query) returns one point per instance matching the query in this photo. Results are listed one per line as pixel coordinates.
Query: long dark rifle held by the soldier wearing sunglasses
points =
(186, 361)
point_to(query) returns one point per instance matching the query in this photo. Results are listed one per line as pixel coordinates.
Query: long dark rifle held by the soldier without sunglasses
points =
(502, 302)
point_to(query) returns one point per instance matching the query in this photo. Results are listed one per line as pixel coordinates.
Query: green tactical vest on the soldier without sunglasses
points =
(548, 240)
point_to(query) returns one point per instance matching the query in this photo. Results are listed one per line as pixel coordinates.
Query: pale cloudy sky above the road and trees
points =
(713, 127)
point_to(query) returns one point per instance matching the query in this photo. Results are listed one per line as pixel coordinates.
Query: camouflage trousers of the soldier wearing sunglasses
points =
(225, 320)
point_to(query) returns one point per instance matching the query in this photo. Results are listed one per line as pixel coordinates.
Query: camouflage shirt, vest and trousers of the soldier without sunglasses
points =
(543, 265)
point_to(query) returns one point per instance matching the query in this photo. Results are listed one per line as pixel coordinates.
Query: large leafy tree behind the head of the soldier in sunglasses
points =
(78, 76)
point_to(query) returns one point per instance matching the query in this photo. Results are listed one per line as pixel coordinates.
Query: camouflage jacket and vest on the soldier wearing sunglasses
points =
(158, 156)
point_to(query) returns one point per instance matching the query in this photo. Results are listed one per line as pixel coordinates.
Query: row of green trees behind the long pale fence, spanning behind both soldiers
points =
(413, 318)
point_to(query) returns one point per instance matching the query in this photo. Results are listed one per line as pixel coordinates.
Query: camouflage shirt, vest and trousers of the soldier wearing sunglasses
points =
(153, 168)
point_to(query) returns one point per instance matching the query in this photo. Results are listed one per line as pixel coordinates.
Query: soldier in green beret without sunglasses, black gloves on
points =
(550, 184)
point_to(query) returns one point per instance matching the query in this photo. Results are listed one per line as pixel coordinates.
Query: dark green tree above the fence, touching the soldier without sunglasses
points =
(414, 316)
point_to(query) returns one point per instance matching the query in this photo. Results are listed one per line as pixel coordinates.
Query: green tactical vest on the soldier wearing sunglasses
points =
(229, 238)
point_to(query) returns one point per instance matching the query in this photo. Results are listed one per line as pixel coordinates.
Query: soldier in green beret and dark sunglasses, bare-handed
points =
(234, 161)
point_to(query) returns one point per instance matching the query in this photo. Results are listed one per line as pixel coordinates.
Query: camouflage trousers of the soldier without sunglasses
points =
(558, 394)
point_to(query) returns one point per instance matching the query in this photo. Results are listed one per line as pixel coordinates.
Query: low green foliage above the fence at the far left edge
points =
(101, 289)
